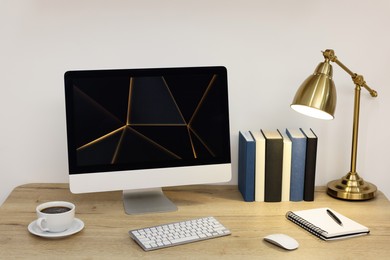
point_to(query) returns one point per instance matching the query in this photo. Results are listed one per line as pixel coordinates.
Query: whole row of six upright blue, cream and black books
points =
(276, 165)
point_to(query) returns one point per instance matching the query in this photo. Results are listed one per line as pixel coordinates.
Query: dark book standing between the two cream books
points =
(273, 168)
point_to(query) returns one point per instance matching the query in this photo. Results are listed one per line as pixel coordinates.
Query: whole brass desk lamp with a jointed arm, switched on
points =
(316, 97)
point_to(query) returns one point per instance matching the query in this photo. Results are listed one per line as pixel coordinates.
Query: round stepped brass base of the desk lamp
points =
(351, 187)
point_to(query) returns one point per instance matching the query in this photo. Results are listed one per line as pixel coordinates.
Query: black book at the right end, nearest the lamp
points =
(310, 165)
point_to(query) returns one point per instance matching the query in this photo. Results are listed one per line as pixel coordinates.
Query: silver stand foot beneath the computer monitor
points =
(146, 201)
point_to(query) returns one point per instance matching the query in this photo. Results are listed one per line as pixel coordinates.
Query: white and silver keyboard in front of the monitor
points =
(156, 237)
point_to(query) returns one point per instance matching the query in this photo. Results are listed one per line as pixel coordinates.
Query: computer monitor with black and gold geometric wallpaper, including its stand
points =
(139, 130)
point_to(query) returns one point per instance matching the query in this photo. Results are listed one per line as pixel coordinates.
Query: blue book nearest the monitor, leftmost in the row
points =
(246, 165)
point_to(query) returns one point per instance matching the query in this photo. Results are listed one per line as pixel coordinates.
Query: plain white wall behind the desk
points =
(268, 46)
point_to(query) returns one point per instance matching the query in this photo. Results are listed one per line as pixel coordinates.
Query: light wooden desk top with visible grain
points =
(105, 234)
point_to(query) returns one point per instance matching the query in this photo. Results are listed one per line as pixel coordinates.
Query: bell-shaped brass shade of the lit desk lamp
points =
(316, 97)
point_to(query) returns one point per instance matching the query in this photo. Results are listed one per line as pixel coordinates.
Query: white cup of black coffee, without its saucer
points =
(55, 216)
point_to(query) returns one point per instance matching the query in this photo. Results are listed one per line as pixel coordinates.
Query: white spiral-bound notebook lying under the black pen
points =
(320, 223)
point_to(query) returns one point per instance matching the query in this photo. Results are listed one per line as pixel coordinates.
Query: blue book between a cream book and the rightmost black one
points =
(298, 164)
